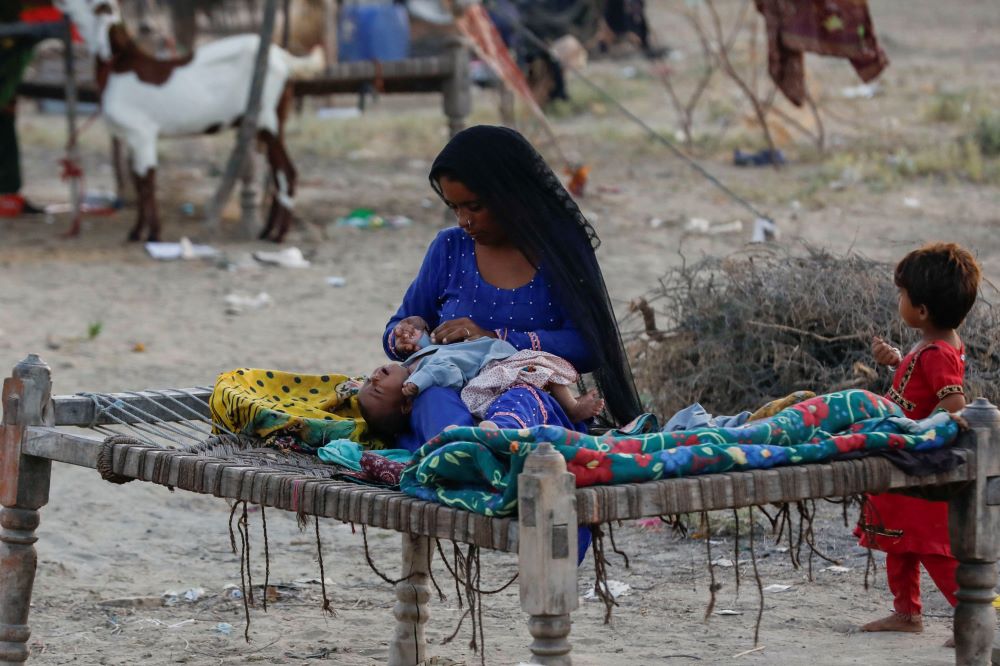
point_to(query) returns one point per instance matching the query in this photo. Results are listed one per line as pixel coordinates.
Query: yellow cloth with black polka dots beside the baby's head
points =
(313, 409)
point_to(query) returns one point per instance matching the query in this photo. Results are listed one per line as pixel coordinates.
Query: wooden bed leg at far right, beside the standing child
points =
(974, 525)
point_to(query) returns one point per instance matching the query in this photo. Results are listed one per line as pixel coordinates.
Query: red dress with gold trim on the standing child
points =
(897, 523)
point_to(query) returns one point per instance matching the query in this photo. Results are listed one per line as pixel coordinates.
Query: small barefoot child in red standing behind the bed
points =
(937, 287)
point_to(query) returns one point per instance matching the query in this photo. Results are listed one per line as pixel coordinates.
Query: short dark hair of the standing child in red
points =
(943, 277)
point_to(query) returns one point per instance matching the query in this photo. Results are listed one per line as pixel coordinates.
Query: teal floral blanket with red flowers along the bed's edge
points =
(476, 469)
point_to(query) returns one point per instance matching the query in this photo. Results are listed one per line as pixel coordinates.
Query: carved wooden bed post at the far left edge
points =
(24, 488)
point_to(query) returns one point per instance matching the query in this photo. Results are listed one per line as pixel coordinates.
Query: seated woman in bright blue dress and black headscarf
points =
(520, 267)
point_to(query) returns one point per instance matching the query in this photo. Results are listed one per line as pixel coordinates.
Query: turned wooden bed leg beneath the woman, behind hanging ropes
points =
(408, 645)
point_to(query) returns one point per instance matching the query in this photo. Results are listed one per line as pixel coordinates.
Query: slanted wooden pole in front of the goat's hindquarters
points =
(248, 127)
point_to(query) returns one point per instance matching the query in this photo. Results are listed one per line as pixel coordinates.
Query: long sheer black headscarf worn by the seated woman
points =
(540, 217)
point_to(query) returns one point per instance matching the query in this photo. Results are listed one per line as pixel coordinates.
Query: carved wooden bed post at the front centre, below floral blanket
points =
(547, 552)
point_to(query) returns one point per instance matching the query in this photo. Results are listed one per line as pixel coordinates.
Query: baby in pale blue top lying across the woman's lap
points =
(483, 368)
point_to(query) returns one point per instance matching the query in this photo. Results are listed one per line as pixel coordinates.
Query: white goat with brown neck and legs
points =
(143, 98)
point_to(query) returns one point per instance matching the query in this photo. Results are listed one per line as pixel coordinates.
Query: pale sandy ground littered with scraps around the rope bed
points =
(99, 542)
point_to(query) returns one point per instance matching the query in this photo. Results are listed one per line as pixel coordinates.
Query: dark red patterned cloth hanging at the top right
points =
(839, 28)
